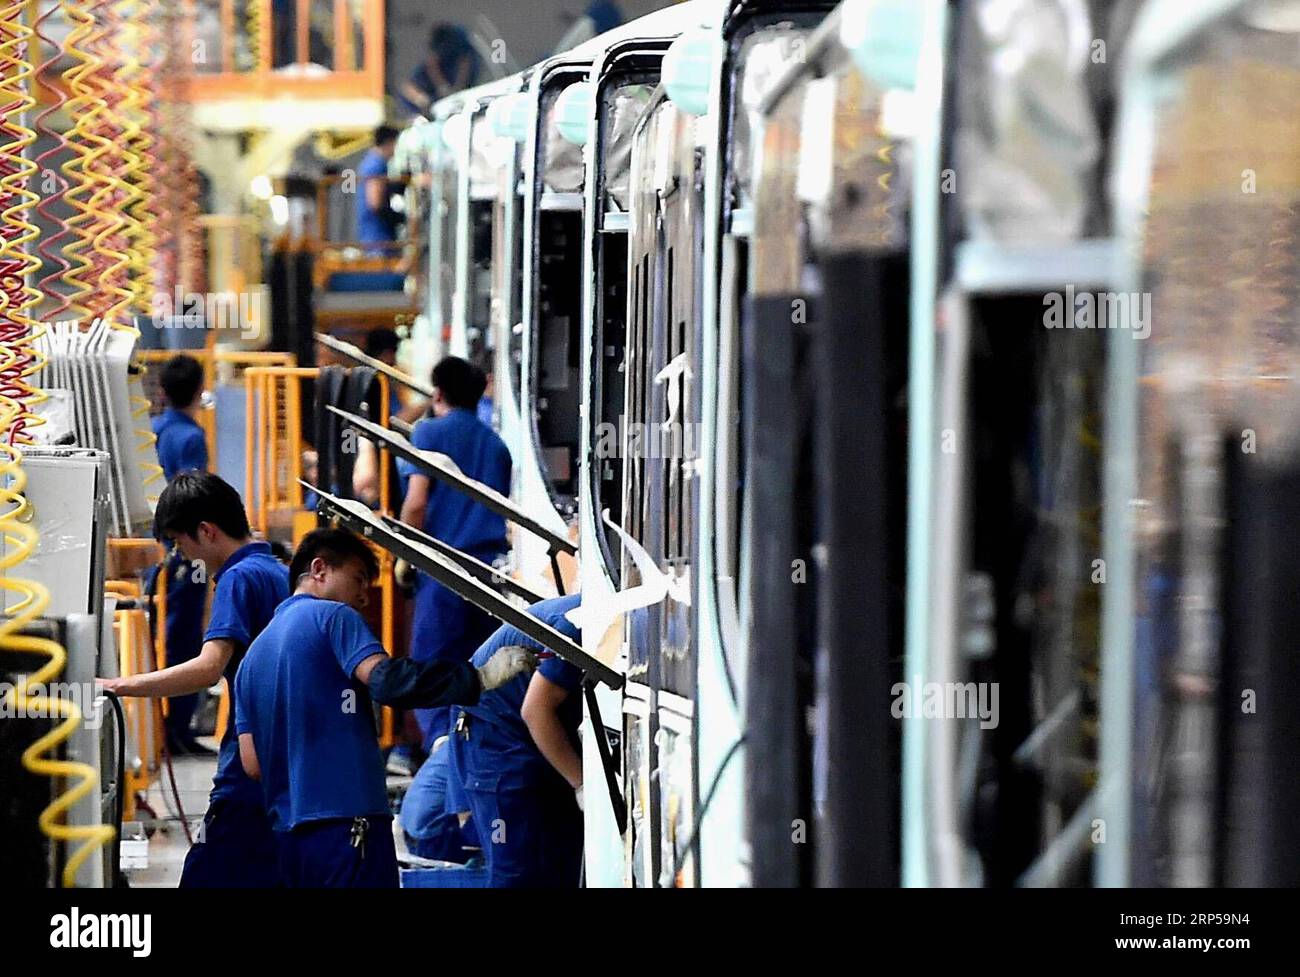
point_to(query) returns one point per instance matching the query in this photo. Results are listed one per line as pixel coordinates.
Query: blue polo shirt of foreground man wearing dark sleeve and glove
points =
(310, 720)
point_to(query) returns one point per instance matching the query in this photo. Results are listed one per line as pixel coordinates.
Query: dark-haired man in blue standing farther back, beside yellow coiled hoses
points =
(183, 448)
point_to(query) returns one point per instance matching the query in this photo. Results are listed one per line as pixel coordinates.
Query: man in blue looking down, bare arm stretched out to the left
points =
(206, 519)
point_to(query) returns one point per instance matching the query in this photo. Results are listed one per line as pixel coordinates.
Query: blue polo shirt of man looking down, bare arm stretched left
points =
(250, 587)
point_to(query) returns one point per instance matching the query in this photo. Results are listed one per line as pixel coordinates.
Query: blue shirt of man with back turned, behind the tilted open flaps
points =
(453, 516)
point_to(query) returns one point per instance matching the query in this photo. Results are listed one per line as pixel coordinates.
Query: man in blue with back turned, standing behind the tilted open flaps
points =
(447, 628)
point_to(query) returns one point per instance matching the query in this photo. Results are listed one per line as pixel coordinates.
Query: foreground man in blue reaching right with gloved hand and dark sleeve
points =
(306, 723)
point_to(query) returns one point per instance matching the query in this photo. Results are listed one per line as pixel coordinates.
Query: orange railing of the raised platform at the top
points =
(263, 50)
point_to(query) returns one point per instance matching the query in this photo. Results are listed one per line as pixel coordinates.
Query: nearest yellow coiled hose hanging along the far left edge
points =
(20, 537)
